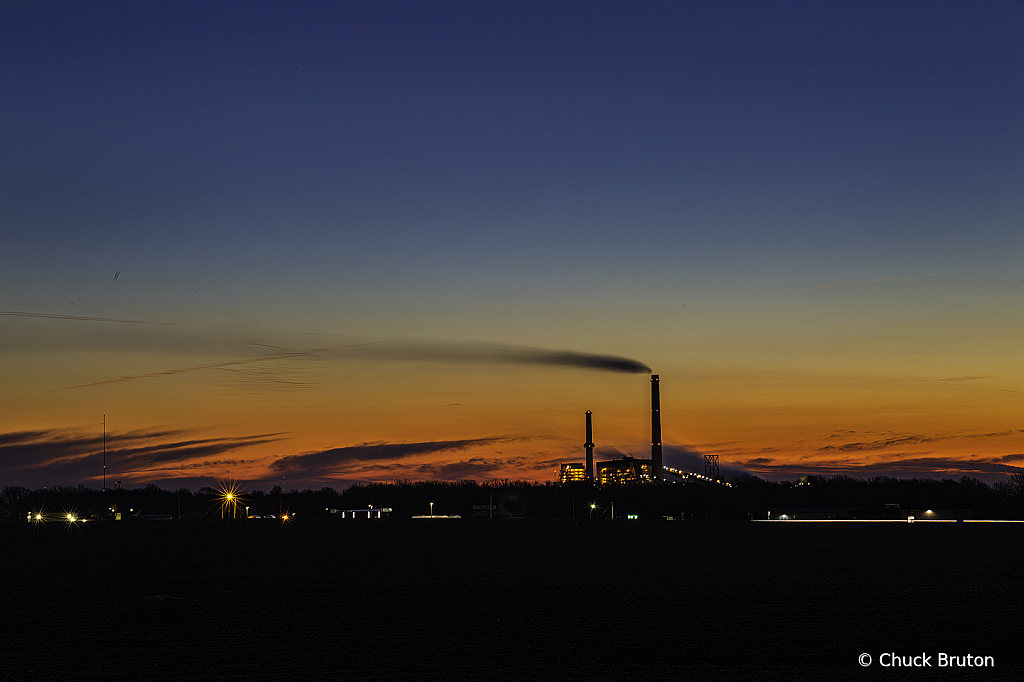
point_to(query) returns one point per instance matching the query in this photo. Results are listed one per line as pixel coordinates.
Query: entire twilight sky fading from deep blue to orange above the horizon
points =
(320, 243)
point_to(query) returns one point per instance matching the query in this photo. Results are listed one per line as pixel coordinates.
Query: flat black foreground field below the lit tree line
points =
(507, 601)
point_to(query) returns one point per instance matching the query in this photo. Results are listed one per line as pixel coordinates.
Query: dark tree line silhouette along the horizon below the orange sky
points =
(749, 497)
